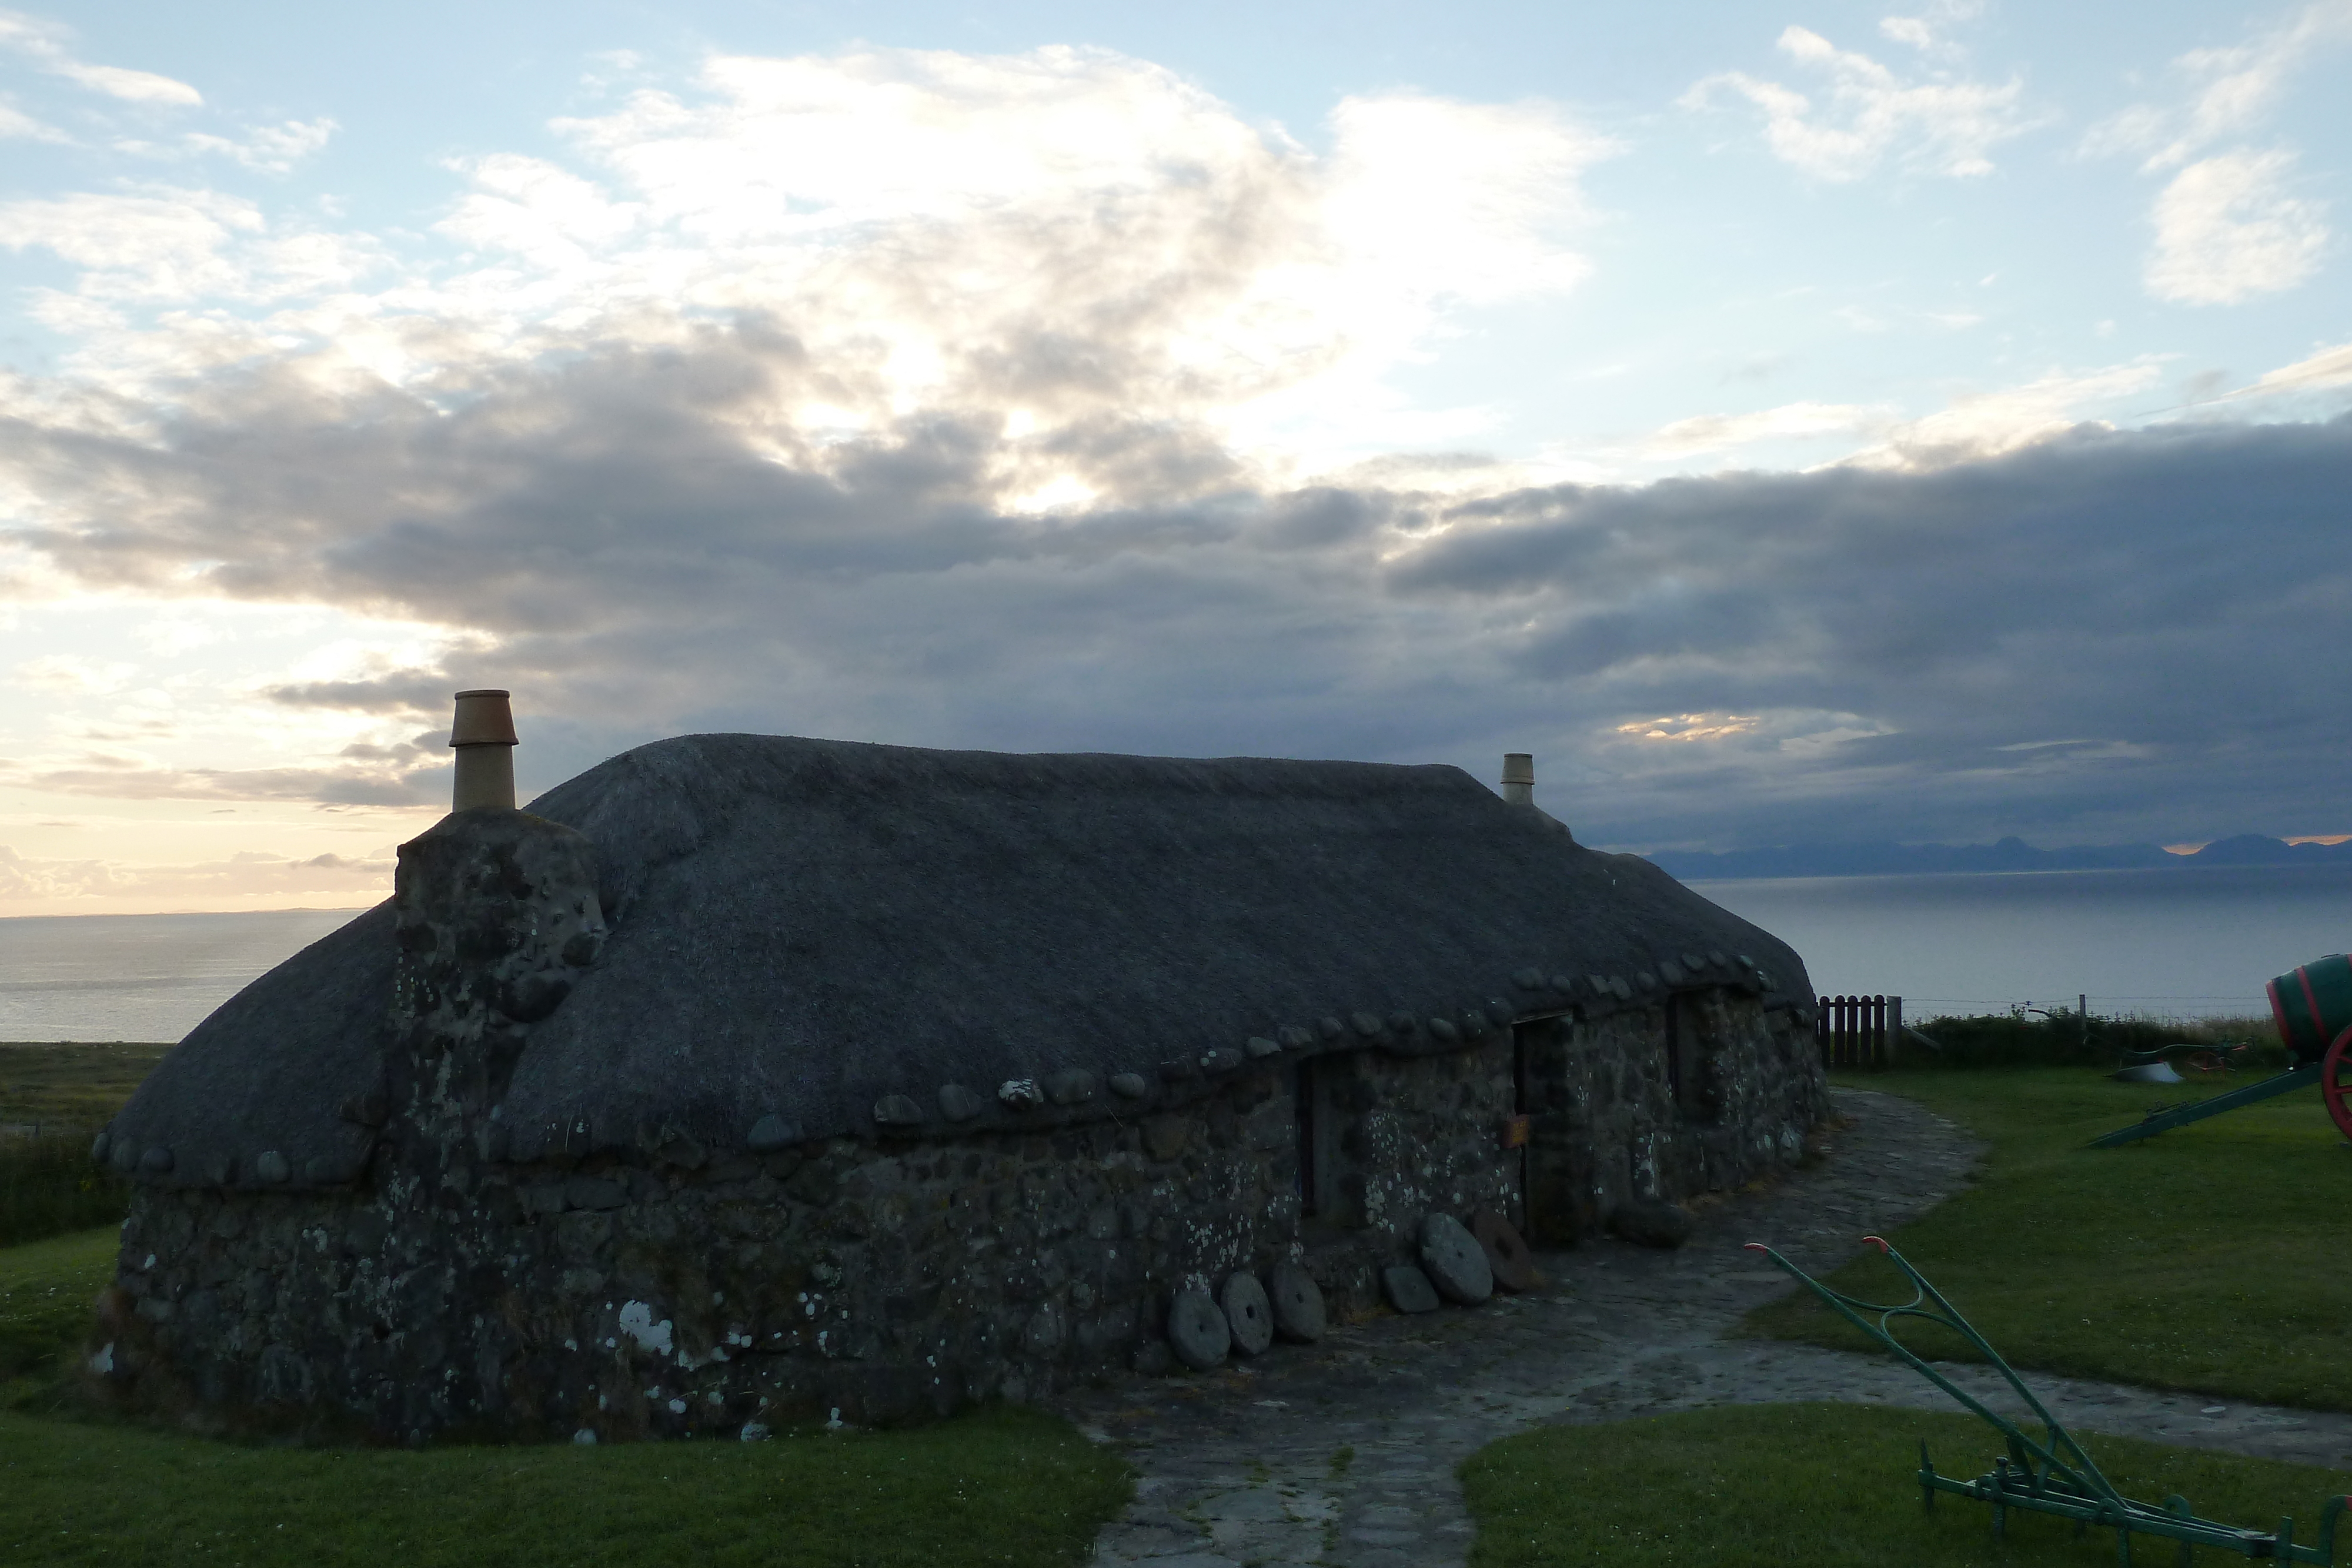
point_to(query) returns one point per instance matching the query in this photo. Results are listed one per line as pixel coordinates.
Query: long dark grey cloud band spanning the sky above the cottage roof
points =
(2097, 638)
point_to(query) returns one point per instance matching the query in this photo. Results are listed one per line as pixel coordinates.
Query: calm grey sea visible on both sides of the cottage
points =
(2146, 944)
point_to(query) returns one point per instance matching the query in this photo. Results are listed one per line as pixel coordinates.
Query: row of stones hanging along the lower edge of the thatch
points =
(1071, 1087)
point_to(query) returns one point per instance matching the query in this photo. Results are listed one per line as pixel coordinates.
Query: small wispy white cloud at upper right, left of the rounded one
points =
(1944, 126)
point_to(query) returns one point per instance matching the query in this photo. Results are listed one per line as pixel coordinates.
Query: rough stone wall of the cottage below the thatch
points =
(676, 1292)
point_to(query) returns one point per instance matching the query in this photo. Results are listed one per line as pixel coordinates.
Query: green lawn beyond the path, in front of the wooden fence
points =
(2207, 1259)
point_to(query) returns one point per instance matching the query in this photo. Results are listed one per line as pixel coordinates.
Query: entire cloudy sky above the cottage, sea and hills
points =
(1789, 422)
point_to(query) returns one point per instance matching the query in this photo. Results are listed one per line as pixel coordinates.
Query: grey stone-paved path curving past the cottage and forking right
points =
(1344, 1454)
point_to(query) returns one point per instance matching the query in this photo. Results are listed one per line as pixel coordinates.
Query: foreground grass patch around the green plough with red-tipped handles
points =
(1829, 1487)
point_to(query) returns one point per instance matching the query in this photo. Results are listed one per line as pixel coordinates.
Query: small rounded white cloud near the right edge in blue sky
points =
(2231, 232)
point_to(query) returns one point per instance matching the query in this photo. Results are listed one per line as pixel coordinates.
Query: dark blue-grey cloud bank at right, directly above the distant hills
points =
(1897, 634)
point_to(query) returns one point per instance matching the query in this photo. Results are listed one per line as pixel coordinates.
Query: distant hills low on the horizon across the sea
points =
(2003, 857)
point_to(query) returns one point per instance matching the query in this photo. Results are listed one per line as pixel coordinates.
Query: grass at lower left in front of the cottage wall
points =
(994, 1487)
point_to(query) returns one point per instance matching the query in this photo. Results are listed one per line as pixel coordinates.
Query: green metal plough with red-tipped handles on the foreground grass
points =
(2050, 1475)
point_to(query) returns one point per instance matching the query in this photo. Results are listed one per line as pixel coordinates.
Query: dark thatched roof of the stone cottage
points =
(820, 939)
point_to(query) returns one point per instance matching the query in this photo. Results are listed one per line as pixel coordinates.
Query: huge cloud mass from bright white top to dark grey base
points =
(709, 434)
